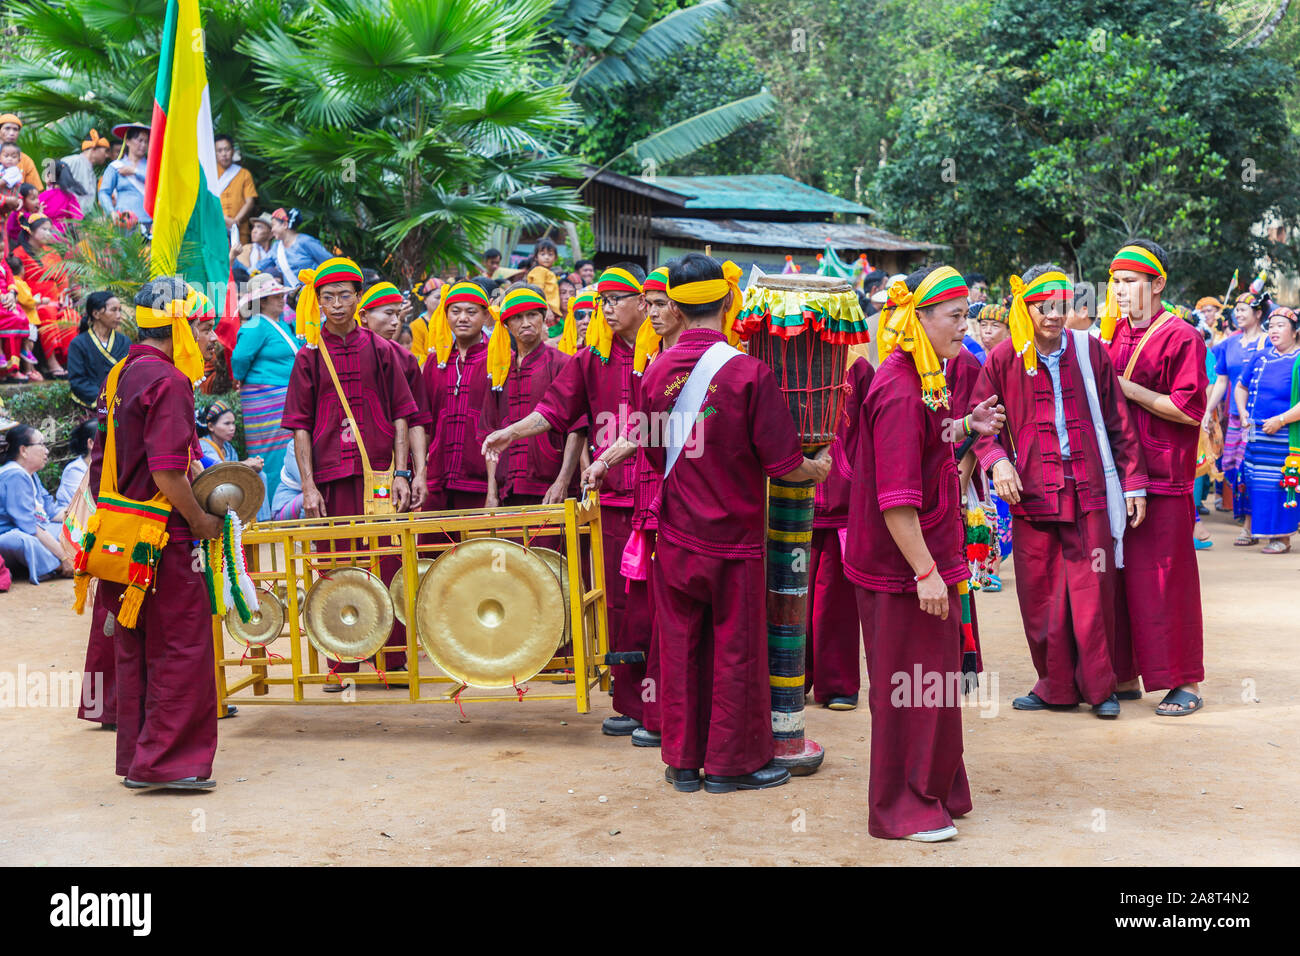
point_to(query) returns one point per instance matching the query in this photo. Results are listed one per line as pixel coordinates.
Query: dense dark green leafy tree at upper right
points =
(965, 165)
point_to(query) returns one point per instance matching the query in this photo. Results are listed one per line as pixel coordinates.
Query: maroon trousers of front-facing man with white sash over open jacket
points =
(1065, 582)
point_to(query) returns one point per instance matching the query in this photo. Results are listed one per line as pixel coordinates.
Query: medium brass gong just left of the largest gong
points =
(349, 615)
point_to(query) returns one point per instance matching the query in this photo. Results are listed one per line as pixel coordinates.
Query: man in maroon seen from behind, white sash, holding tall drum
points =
(710, 586)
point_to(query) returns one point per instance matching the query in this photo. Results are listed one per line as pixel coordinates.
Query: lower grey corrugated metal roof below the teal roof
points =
(731, 232)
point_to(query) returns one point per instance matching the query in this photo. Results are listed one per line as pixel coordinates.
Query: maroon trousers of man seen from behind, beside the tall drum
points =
(714, 695)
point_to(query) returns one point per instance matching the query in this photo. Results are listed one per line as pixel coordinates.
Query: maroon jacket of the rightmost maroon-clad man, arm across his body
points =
(1173, 364)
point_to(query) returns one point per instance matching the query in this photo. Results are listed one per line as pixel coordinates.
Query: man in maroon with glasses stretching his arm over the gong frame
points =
(599, 384)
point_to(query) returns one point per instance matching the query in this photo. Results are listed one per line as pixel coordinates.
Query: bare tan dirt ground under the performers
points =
(538, 784)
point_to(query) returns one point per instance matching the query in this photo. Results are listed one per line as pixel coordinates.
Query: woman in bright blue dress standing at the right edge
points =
(1268, 399)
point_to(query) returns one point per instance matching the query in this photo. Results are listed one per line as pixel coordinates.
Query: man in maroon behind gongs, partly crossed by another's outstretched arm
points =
(540, 470)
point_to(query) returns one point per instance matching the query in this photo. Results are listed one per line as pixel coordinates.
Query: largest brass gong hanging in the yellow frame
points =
(489, 613)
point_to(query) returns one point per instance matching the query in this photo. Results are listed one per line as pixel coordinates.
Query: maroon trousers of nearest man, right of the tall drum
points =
(917, 780)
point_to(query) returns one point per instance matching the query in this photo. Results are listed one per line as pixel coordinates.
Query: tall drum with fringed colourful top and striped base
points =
(801, 327)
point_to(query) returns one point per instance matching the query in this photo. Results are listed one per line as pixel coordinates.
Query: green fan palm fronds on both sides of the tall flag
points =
(404, 127)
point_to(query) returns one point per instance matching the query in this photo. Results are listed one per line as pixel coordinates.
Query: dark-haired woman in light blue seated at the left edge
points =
(31, 521)
